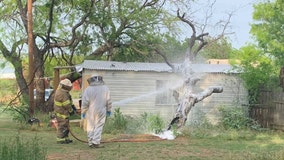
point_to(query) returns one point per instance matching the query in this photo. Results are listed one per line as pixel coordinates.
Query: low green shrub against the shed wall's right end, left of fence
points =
(236, 118)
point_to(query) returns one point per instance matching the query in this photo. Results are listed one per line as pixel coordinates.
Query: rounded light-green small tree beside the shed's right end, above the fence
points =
(256, 69)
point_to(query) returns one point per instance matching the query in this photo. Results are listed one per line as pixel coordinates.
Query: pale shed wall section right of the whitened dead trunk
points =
(233, 94)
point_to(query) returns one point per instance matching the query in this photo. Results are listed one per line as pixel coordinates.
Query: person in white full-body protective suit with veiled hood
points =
(96, 105)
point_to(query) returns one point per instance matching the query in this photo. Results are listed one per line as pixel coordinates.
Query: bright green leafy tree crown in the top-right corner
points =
(267, 29)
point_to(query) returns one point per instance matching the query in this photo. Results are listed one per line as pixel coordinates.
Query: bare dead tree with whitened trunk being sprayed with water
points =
(185, 97)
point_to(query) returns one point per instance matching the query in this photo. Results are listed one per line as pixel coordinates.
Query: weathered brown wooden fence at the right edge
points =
(270, 112)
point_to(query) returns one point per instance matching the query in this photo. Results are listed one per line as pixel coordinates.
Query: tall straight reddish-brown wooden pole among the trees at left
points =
(31, 57)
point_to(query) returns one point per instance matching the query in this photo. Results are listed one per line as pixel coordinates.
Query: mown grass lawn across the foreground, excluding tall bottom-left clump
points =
(233, 145)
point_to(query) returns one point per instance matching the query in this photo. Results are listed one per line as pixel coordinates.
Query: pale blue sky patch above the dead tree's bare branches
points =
(239, 23)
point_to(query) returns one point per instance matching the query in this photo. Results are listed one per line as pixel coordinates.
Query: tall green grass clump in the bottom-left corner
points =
(22, 149)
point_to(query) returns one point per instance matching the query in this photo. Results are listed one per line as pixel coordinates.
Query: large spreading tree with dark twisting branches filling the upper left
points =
(65, 28)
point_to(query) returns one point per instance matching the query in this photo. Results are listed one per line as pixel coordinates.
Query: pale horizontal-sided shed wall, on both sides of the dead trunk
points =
(134, 92)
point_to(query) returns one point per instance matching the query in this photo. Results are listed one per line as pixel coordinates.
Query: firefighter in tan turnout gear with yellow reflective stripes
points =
(63, 108)
